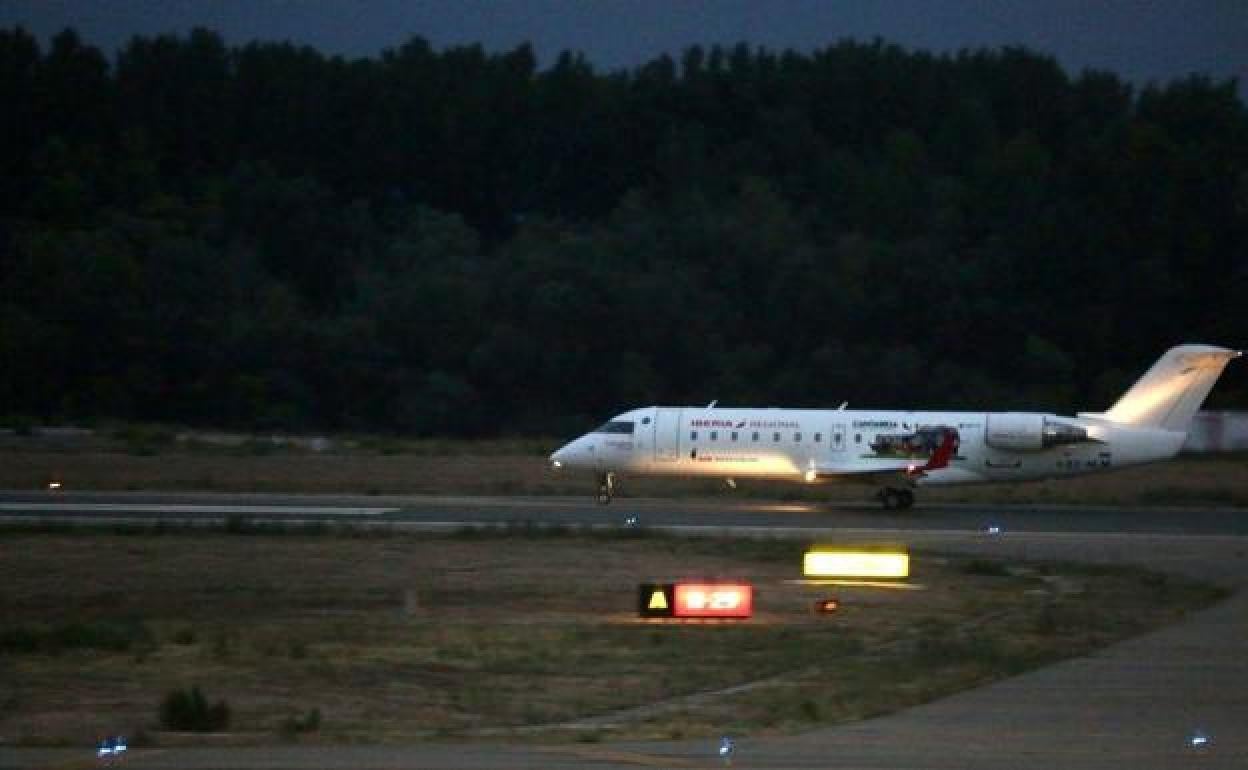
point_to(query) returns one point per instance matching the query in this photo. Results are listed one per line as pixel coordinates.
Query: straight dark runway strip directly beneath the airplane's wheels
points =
(661, 514)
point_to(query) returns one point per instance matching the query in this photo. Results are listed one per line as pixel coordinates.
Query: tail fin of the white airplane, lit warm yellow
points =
(1171, 392)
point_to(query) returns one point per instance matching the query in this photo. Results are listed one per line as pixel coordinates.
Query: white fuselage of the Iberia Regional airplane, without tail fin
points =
(853, 445)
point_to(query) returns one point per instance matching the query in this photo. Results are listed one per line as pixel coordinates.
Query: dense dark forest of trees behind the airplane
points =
(464, 243)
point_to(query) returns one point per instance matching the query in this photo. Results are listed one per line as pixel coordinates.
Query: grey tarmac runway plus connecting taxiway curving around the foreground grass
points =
(1136, 704)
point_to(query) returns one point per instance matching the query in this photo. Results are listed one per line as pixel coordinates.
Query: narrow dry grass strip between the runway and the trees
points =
(521, 467)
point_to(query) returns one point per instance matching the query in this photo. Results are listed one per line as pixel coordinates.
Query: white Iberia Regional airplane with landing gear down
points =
(899, 451)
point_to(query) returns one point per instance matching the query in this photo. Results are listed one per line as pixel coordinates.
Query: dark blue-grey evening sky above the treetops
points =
(1139, 39)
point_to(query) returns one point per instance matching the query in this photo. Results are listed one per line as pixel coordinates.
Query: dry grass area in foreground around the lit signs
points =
(522, 633)
